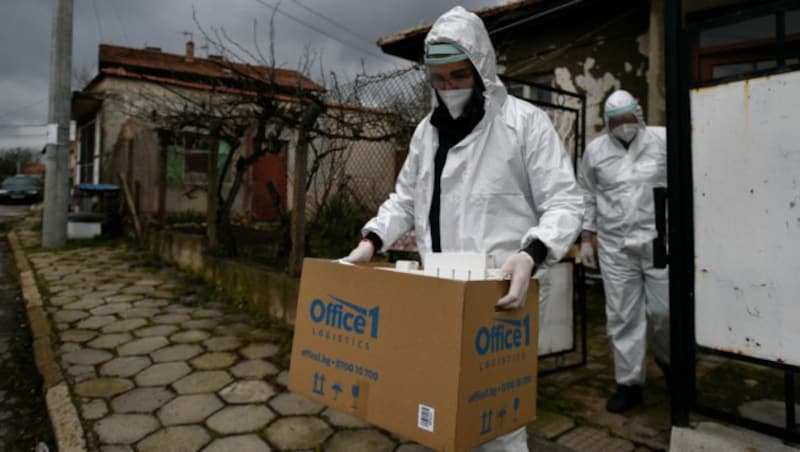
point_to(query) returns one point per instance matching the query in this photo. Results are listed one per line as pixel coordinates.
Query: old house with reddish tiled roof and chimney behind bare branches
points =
(116, 137)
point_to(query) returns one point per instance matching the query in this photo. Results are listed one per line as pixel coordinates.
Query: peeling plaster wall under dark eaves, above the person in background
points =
(593, 51)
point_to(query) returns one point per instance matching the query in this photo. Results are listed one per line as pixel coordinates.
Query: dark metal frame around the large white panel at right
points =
(683, 396)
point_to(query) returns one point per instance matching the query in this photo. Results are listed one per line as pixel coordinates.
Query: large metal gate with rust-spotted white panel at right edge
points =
(733, 162)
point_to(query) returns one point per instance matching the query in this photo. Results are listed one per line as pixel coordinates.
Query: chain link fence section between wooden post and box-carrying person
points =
(364, 165)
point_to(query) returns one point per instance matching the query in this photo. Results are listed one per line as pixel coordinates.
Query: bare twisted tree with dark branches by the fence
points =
(252, 103)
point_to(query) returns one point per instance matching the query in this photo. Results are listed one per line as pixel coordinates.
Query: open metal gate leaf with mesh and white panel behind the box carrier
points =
(563, 348)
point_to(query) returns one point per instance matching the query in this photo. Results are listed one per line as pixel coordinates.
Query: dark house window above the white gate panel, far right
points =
(747, 47)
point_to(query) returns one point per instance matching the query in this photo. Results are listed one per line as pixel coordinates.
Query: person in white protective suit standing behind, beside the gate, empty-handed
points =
(618, 173)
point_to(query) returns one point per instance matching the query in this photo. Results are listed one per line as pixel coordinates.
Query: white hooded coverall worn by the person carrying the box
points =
(505, 184)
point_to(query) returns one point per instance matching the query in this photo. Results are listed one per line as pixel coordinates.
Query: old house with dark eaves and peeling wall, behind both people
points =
(593, 47)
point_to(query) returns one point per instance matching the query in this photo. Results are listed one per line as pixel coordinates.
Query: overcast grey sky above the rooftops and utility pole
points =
(25, 35)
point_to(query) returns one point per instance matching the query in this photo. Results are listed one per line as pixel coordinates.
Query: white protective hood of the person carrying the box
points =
(466, 31)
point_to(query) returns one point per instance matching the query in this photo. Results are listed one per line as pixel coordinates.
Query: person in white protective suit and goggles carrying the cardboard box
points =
(485, 173)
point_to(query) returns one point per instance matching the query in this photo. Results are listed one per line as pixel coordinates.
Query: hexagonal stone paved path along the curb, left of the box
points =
(154, 363)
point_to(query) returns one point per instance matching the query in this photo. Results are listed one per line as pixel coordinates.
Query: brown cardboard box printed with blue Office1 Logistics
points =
(425, 358)
